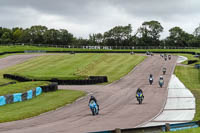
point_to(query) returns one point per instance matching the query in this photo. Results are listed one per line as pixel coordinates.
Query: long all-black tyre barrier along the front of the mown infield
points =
(90, 80)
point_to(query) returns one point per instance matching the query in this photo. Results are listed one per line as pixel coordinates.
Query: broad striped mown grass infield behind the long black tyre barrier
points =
(78, 66)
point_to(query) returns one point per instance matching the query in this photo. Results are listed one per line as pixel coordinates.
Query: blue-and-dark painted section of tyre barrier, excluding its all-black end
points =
(19, 97)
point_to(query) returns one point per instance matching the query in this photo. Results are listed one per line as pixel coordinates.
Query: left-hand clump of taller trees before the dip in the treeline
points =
(35, 35)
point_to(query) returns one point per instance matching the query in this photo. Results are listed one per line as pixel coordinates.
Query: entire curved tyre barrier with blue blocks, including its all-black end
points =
(19, 97)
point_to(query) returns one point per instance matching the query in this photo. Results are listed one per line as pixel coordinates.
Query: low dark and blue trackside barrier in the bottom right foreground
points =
(155, 129)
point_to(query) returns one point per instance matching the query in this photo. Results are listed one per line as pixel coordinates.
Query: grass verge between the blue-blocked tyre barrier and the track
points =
(43, 103)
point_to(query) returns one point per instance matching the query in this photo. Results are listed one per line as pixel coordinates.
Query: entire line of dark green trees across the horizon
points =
(148, 34)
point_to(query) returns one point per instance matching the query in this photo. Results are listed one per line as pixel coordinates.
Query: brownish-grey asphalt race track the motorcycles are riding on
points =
(118, 105)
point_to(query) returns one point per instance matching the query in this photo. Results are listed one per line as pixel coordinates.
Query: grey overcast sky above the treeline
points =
(84, 17)
